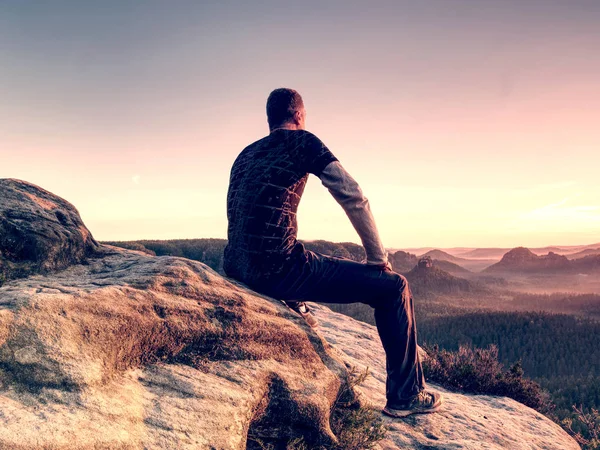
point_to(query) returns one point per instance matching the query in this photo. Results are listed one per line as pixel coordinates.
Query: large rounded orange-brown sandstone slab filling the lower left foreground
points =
(135, 351)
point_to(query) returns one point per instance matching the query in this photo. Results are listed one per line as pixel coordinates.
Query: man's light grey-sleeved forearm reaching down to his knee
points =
(349, 195)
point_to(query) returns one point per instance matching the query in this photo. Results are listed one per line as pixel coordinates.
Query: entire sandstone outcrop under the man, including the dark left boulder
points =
(140, 352)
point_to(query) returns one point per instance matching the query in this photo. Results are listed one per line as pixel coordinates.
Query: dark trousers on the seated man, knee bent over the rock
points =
(329, 279)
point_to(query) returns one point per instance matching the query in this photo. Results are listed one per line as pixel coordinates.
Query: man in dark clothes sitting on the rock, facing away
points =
(267, 180)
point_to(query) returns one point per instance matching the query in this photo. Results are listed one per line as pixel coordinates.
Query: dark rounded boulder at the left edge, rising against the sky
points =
(39, 231)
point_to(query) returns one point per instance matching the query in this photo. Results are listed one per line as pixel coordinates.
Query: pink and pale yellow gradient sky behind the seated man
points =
(466, 123)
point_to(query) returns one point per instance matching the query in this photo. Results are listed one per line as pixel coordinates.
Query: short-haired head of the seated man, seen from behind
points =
(285, 109)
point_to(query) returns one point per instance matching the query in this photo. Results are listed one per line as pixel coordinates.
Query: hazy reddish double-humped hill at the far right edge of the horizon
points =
(523, 260)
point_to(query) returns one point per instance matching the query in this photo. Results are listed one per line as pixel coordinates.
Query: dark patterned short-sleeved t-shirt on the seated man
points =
(266, 183)
